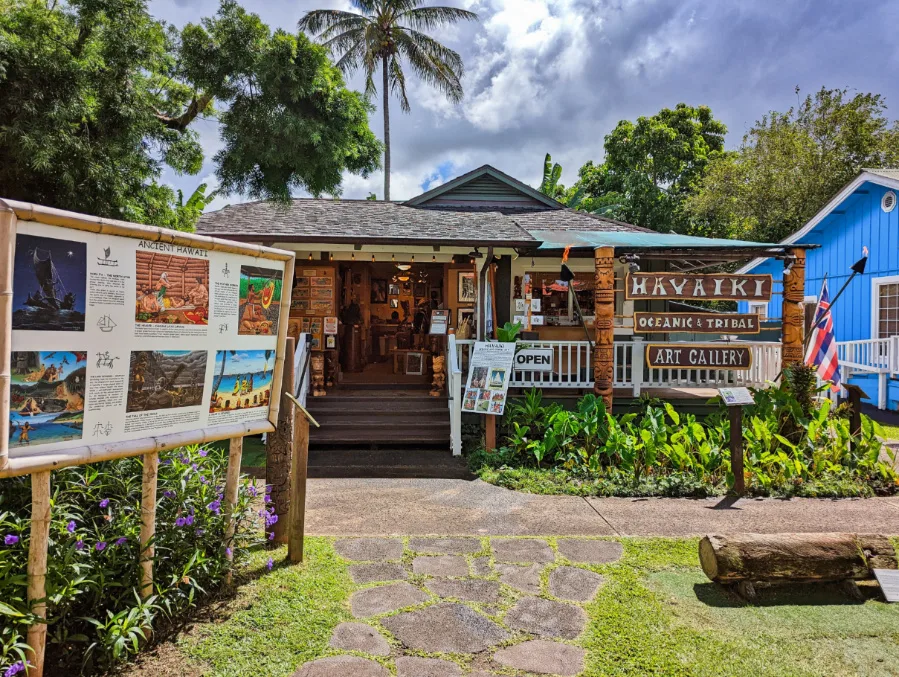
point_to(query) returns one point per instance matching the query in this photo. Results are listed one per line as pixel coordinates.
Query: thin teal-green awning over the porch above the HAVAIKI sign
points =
(559, 239)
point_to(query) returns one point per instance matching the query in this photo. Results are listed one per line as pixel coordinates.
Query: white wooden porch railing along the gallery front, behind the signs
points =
(573, 367)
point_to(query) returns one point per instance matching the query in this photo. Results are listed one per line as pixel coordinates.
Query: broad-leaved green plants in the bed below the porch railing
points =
(789, 450)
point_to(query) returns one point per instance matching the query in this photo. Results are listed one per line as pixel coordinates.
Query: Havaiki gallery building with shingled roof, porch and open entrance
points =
(384, 288)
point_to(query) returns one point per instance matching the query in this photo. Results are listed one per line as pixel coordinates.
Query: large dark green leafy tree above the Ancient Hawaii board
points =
(96, 97)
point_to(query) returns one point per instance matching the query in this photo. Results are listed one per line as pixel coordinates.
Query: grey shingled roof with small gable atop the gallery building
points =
(476, 211)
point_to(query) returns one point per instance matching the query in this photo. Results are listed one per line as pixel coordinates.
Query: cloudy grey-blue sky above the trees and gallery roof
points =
(557, 75)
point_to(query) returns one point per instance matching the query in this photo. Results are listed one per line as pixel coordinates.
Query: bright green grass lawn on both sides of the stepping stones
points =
(656, 614)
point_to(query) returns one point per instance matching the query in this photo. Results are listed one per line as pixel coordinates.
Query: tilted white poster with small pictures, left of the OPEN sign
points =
(488, 378)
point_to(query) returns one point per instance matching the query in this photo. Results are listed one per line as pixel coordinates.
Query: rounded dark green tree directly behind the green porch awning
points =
(652, 166)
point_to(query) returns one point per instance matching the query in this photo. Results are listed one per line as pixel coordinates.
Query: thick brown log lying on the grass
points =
(734, 558)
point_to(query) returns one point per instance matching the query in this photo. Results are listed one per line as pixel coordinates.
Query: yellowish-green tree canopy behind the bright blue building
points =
(790, 164)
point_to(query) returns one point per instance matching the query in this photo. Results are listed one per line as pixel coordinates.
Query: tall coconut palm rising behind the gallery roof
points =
(381, 34)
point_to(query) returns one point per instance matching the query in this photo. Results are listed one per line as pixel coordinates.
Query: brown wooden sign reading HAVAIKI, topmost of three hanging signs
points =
(687, 286)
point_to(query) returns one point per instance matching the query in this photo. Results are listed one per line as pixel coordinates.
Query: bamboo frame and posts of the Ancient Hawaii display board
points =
(18, 218)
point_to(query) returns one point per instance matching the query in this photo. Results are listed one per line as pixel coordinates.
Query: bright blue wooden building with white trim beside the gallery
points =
(862, 217)
